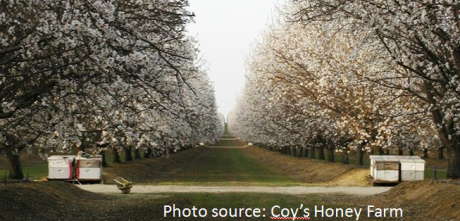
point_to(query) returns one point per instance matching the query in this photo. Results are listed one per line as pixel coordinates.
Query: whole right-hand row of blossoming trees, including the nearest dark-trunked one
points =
(363, 76)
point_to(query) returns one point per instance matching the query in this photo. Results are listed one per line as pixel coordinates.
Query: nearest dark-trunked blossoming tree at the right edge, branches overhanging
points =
(422, 39)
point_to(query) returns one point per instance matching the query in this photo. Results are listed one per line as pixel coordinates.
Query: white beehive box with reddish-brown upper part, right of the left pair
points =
(90, 168)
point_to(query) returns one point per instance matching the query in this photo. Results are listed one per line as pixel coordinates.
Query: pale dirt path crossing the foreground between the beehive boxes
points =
(296, 190)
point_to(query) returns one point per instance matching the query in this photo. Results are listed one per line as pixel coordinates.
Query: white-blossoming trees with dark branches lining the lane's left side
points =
(72, 67)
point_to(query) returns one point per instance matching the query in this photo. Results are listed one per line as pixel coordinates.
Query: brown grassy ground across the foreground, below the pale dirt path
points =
(425, 200)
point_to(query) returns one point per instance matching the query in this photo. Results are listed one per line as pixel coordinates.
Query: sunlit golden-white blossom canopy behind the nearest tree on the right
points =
(334, 67)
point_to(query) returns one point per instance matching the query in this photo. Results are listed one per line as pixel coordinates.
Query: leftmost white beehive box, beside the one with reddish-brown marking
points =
(59, 166)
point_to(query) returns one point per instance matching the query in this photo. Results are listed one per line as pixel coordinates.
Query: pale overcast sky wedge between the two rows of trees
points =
(226, 29)
